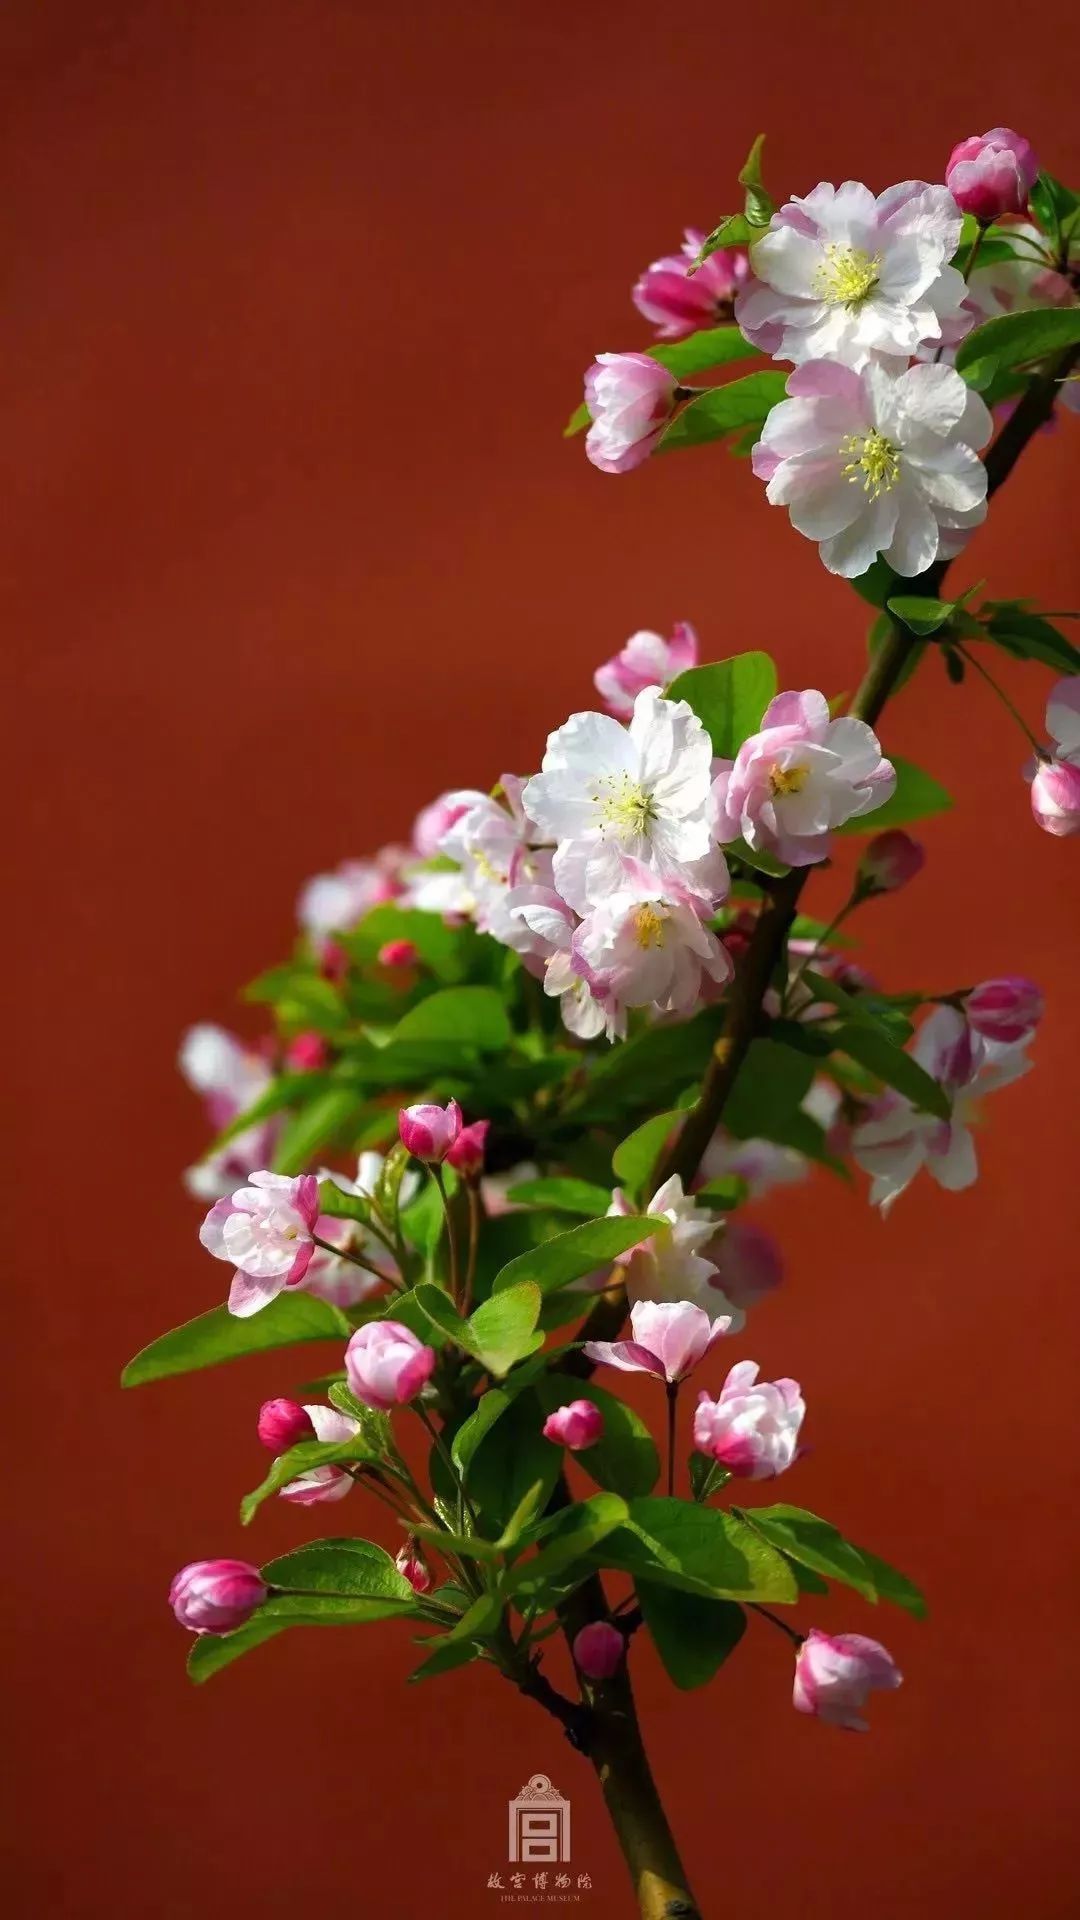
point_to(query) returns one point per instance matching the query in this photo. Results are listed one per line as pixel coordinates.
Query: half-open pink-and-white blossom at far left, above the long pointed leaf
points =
(266, 1232)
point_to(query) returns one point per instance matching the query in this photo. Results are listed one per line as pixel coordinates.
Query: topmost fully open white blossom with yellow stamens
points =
(845, 277)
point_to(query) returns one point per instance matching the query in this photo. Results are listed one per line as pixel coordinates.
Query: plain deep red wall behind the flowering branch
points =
(297, 300)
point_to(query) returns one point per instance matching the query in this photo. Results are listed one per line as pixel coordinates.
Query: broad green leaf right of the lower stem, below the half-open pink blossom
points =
(699, 1550)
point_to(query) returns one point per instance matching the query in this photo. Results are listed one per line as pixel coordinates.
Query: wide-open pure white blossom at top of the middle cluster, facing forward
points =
(612, 796)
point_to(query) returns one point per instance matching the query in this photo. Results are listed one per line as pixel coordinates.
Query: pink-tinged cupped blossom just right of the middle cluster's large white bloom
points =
(800, 777)
